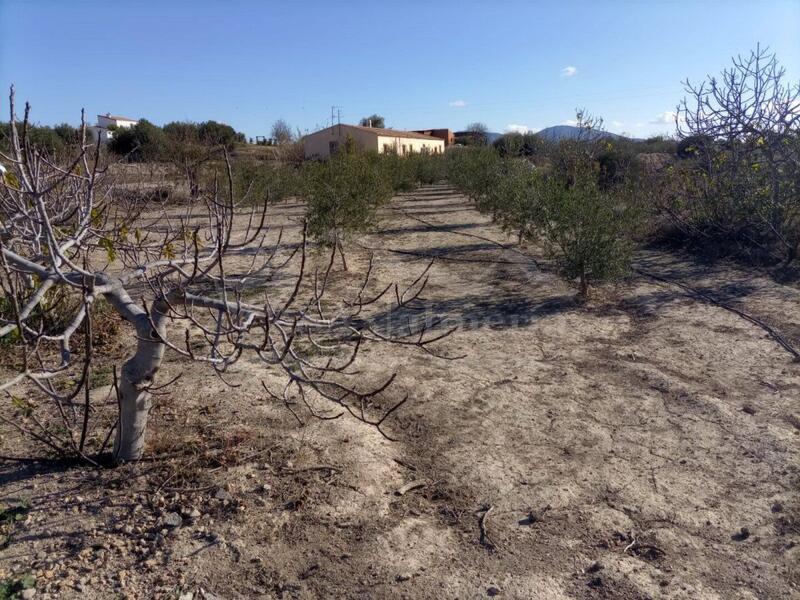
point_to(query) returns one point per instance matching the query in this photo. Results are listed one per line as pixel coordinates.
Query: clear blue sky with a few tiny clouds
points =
(419, 63)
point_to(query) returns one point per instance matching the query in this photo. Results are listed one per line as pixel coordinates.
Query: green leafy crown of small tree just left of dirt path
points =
(343, 194)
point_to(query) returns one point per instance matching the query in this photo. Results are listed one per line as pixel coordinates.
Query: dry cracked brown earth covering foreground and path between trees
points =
(644, 445)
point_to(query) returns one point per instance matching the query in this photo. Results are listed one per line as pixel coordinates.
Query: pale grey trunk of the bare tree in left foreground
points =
(137, 376)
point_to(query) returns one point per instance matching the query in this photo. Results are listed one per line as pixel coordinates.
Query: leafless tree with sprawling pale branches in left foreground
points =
(63, 228)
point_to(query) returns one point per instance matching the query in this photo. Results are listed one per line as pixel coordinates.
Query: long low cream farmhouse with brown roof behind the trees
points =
(325, 142)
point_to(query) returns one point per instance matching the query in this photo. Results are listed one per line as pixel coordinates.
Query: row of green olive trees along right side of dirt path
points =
(585, 223)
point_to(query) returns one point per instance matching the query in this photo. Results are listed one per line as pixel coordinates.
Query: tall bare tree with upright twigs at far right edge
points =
(749, 125)
